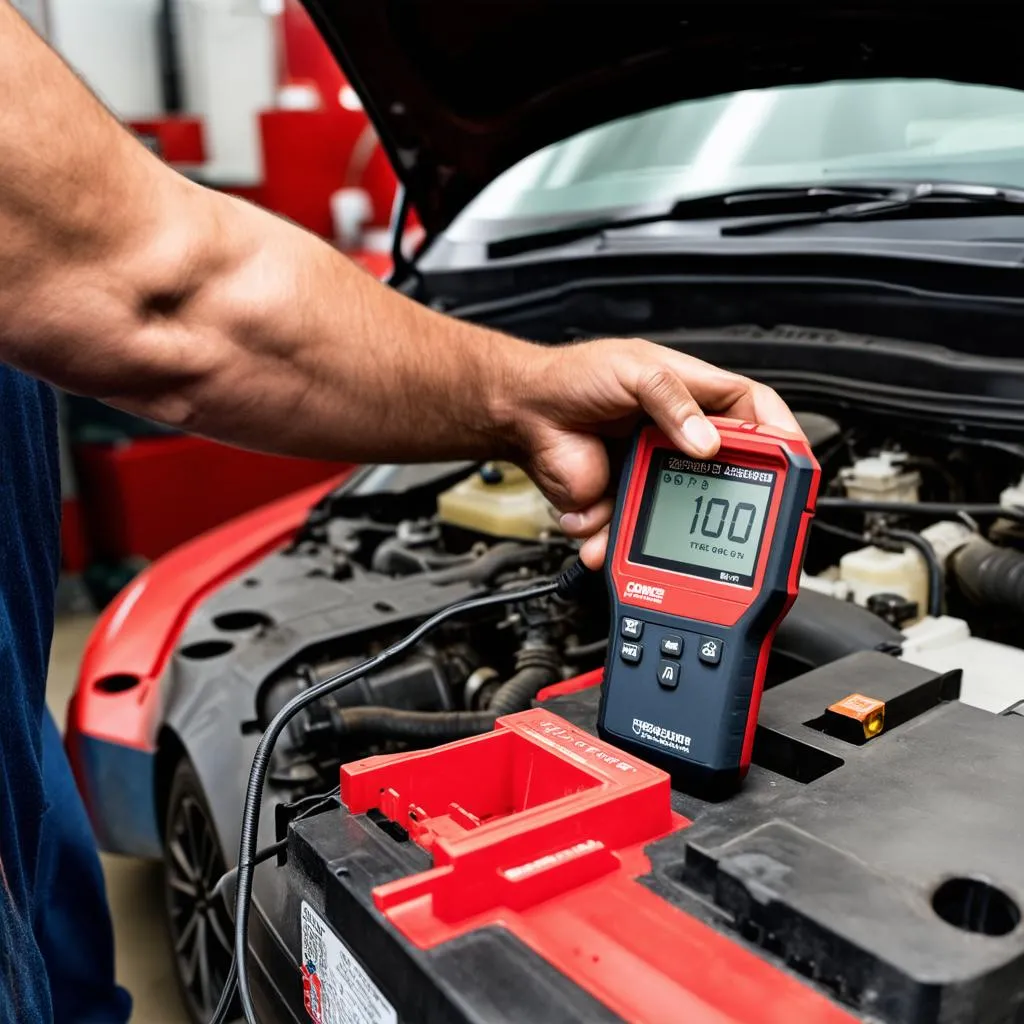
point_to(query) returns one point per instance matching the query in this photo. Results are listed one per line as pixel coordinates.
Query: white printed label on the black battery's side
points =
(336, 989)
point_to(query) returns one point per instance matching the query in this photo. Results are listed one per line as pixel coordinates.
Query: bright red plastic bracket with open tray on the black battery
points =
(540, 828)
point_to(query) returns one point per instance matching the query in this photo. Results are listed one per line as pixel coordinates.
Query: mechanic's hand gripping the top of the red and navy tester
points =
(579, 394)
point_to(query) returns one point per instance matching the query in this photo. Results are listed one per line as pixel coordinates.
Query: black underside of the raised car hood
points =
(460, 92)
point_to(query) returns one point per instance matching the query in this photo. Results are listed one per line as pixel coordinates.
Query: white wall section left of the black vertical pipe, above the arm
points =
(113, 46)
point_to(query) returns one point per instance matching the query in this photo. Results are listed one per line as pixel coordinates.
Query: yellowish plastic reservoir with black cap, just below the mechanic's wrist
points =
(500, 501)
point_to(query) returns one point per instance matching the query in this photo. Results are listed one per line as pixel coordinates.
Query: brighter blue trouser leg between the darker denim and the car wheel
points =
(72, 921)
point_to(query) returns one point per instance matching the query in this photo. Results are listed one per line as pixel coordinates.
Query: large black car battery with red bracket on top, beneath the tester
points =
(537, 874)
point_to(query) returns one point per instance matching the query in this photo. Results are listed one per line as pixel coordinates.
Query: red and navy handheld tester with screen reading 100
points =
(704, 563)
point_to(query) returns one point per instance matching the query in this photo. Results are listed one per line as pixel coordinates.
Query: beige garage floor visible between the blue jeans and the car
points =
(144, 959)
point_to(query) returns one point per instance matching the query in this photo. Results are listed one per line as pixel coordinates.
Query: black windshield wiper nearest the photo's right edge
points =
(921, 200)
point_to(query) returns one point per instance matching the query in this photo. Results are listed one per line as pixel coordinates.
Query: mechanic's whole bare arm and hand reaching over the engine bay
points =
(120, 279)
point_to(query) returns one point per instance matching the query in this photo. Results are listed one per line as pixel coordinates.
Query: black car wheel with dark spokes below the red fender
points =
(200, 927)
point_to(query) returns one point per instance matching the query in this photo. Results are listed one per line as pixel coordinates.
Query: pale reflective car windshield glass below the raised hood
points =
(886, 130)
